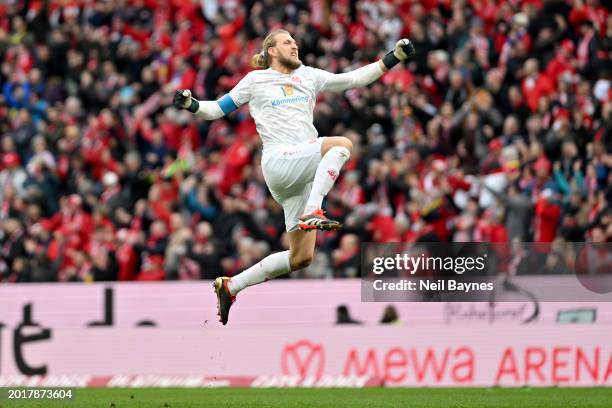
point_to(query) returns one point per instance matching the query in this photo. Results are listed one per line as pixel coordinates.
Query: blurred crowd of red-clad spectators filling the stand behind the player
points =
(498, 131)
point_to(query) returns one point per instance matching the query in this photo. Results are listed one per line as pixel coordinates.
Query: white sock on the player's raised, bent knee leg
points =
(326, 175)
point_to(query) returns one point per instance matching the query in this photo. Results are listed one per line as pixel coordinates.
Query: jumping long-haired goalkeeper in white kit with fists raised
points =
(299, 168)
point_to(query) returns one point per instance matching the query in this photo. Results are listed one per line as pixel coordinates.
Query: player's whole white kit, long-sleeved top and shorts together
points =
(282, 106)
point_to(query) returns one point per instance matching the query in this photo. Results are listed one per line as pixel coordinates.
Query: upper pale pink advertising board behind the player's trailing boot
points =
(275, 303)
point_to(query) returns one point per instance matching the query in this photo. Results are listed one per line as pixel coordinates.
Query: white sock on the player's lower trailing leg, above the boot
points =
(268, 268)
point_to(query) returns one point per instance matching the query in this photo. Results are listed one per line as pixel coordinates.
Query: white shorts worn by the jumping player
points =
(289, 171)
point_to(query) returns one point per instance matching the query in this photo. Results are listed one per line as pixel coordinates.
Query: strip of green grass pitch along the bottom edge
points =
(336, 398)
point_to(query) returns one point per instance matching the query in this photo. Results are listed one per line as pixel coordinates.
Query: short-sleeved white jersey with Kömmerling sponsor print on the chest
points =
(282, 104)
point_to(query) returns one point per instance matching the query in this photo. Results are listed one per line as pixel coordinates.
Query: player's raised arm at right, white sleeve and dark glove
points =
(367, 74)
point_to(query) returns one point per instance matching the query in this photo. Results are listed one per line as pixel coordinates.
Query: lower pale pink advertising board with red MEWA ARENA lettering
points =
(435, 355)
